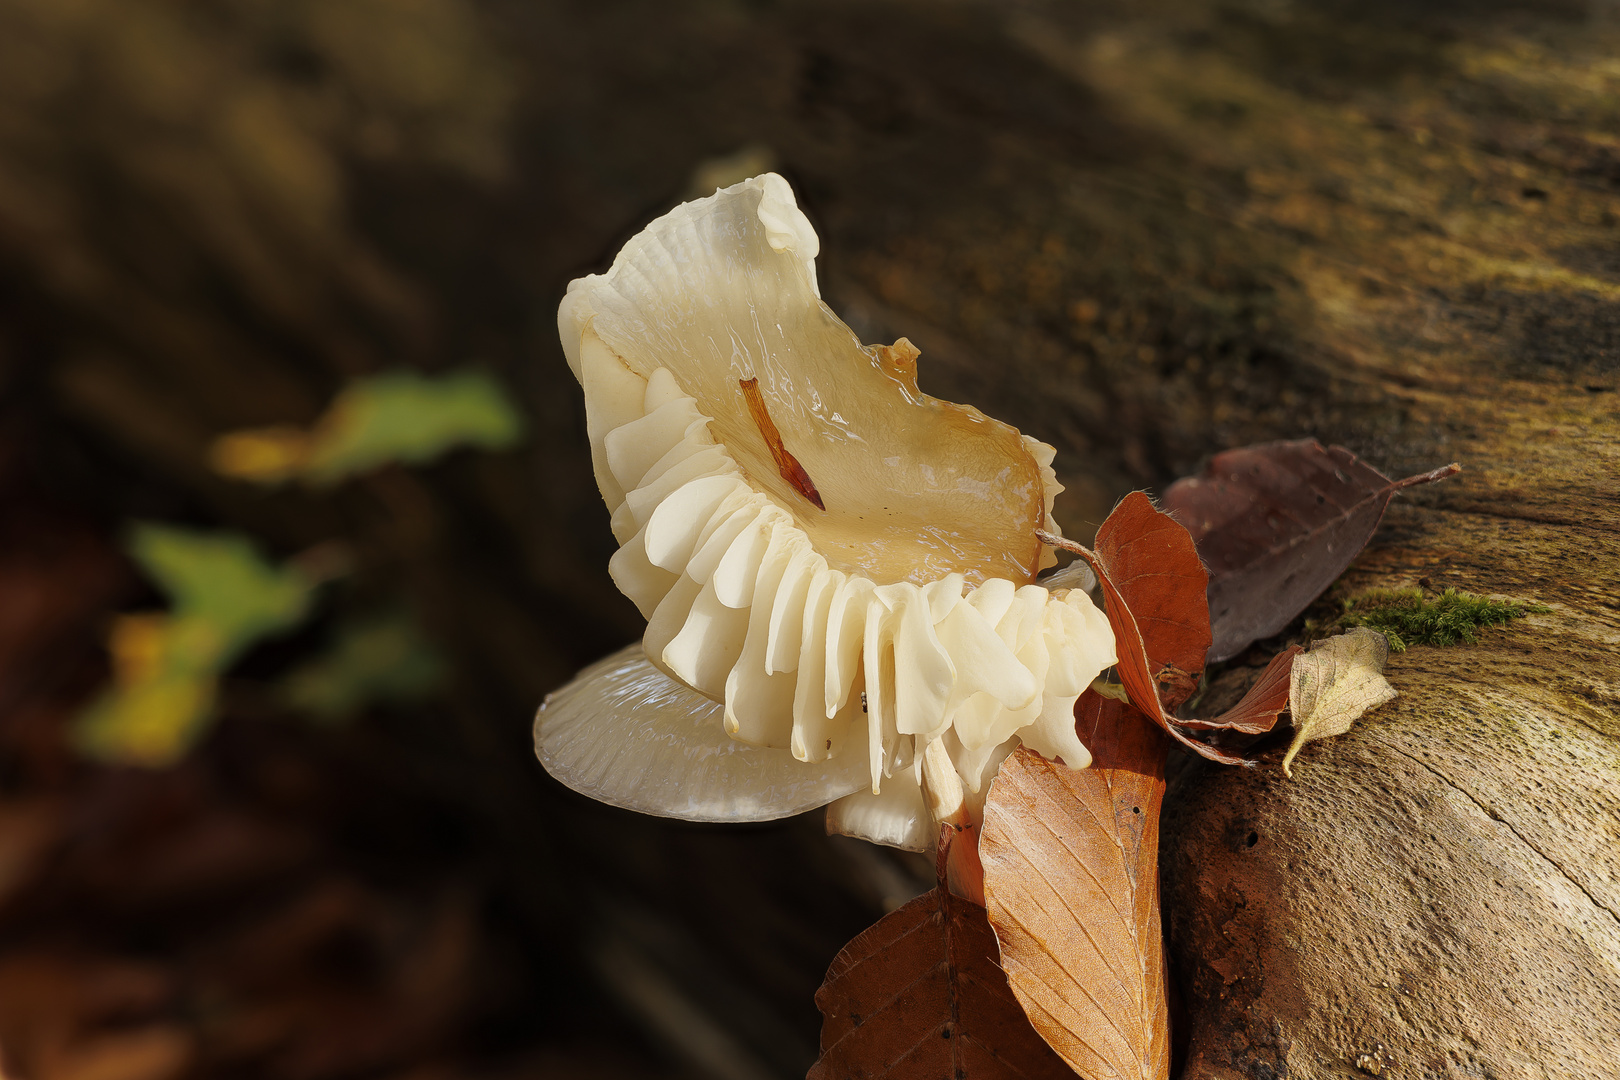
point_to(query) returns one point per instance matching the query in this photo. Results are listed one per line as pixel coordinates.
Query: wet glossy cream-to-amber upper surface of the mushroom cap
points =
(914, 488)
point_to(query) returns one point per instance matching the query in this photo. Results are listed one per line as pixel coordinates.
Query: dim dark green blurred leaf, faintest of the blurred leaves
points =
(383, 658)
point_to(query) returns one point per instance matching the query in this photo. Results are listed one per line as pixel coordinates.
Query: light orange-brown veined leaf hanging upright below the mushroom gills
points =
(1072, 885)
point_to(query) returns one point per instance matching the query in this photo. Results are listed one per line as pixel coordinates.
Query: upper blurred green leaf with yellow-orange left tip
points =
(399, 417)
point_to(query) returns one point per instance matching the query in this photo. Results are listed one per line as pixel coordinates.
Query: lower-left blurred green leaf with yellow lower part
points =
(224, 598)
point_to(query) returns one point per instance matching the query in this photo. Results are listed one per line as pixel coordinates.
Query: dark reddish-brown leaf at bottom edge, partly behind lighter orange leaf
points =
(919, 997)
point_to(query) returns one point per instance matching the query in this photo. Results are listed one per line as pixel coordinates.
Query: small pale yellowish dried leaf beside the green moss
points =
(1336, 684)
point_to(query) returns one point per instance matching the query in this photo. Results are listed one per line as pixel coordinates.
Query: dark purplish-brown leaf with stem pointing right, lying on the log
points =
(1277, 524)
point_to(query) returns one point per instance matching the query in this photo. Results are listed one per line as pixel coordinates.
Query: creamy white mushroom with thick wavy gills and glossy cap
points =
(837, 569)
